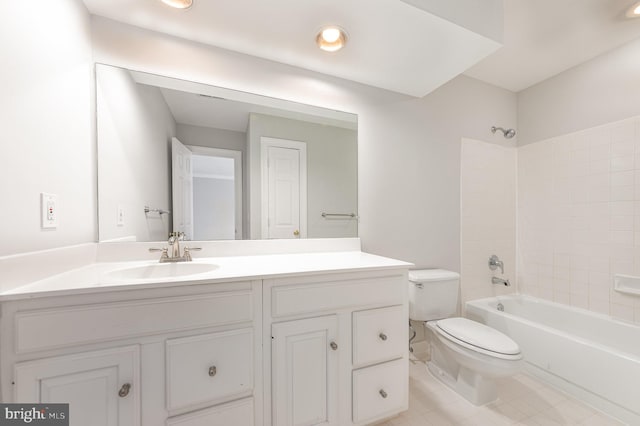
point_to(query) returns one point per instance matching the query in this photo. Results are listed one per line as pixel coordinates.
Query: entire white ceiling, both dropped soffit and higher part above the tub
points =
(420, 50)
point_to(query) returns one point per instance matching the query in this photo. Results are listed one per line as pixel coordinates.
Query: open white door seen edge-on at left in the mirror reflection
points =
(182, 188)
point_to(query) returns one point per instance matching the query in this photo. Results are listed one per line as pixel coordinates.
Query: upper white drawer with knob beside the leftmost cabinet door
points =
(209, 368)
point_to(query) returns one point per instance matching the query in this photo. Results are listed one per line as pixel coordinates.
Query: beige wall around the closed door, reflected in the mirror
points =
(332, 181)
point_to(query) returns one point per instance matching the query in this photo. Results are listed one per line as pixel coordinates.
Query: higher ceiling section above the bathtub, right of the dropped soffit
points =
(545, 37)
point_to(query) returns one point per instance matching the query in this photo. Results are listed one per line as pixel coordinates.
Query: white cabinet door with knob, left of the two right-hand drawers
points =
(305, 372)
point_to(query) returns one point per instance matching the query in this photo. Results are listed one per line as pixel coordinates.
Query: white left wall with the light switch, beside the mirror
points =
(46, 87)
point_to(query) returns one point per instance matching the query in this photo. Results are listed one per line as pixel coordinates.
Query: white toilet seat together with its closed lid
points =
(478, 338)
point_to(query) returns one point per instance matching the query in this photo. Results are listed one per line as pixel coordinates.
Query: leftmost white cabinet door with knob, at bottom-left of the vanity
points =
(101, 388)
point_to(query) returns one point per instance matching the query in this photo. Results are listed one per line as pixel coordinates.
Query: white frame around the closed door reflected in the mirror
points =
(265, 144)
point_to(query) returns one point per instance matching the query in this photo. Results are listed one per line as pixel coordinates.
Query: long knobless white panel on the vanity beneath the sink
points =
(75, 325)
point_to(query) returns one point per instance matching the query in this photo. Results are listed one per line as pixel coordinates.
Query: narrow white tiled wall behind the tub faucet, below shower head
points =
(488, 217)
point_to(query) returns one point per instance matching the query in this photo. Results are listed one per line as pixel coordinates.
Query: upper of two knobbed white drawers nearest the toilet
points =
(379, 335)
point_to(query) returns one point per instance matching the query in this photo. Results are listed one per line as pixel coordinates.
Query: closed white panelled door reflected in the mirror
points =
(284, 201)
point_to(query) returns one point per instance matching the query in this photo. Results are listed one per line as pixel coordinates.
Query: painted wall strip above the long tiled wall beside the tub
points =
(600, 91)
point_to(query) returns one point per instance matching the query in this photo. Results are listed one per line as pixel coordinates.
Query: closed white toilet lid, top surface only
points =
(478, 335)
